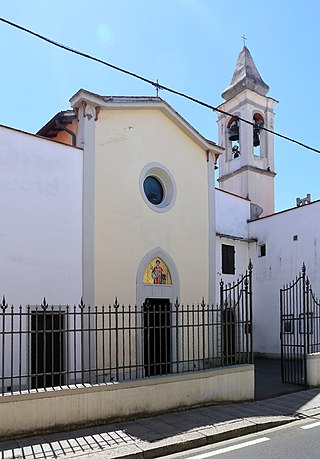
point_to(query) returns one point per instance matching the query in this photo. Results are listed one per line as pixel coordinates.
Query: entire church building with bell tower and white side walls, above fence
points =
(117, 199)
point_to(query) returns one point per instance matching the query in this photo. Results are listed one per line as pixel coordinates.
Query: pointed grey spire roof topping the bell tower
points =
(245, 76)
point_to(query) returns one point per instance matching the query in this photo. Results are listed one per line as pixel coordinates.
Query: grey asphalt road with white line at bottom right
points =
(298, 440)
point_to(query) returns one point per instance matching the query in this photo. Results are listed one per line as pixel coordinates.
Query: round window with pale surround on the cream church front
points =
(157, 187)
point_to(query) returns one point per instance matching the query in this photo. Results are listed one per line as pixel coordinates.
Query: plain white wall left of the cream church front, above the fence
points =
(41, 219)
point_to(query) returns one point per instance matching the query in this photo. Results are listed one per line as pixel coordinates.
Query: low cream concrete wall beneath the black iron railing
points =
(58, 410)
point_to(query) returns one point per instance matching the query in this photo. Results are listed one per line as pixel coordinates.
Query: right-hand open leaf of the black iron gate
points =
(299, 328)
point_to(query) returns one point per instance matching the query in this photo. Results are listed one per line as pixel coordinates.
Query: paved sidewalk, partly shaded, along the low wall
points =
(169, 433)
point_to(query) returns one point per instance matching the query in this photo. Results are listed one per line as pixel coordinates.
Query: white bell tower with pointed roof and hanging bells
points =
(247, 166)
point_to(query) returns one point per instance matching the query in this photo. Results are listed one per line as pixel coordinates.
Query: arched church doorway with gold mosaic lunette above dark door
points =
(157, 290)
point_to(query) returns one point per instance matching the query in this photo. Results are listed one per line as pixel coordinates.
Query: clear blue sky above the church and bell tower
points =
(189, 45)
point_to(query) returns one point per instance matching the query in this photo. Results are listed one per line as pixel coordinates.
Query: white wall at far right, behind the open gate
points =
(283, 261)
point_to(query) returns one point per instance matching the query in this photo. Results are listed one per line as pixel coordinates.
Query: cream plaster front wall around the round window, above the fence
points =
(125, 228)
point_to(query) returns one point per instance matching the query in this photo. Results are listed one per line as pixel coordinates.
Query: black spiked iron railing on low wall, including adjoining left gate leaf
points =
(48, 346)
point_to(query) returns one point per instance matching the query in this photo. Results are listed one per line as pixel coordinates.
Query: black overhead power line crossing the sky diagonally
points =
(146, 80)
